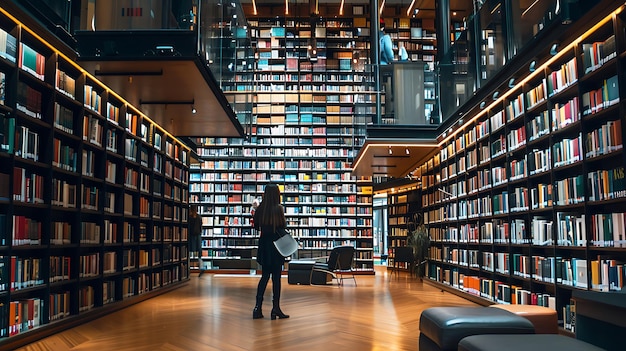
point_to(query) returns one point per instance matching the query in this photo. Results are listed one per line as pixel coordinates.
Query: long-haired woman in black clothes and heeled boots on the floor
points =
(269, 218)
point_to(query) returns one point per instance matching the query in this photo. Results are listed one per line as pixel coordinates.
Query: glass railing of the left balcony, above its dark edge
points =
(214, 31)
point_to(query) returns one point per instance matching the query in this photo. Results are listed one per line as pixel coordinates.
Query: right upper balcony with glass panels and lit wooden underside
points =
(497, 37)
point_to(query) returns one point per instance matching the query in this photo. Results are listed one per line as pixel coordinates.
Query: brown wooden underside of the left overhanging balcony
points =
(168, 91)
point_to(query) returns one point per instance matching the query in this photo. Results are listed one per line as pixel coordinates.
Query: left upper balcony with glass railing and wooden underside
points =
(166, 57)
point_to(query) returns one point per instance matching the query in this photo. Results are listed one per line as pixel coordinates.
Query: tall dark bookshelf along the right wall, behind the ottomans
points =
(536, 181)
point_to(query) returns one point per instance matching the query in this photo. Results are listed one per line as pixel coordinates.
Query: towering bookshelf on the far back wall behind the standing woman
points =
(308, 120)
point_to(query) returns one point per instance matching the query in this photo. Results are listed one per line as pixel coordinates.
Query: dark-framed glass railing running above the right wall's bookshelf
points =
(495, 34)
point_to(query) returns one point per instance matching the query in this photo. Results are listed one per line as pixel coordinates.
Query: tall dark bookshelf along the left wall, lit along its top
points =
(93, 202)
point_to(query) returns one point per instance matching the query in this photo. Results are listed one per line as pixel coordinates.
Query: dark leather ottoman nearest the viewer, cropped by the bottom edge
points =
(534, 342)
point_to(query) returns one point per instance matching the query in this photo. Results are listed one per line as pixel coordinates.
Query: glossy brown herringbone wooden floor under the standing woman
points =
(214, 312)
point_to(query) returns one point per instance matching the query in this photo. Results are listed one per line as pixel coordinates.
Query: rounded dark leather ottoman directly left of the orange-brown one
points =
(441, 328)
